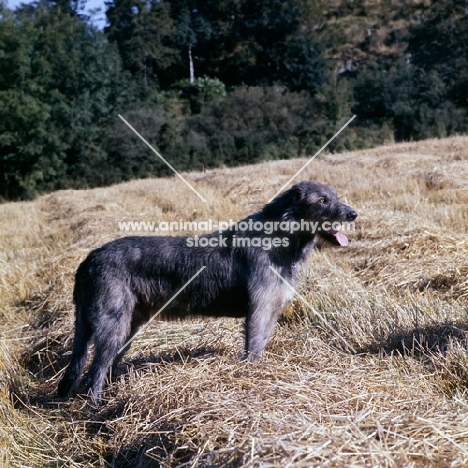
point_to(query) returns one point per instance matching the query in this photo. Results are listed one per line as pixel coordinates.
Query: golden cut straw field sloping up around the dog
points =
(398, 296)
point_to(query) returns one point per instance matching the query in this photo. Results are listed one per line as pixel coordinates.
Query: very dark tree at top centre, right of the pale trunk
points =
(268, 45)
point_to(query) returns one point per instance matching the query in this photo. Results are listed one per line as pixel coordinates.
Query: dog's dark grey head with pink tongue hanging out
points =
(316, 204)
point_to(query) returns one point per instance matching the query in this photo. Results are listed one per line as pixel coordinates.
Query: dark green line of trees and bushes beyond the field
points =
(215, 83)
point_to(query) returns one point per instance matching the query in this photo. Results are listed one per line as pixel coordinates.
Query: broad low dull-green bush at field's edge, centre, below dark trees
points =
(256, 124)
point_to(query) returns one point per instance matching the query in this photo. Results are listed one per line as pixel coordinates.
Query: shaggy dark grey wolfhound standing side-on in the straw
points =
(250, 272)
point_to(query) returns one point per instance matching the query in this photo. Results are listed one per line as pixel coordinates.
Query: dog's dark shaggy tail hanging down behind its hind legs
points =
(83, 335)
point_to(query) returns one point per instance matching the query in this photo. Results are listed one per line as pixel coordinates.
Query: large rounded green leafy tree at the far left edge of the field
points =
(59, 84)
